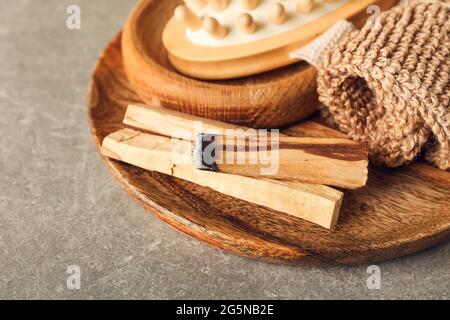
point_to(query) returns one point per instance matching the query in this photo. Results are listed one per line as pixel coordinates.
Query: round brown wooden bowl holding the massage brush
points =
(269, 100)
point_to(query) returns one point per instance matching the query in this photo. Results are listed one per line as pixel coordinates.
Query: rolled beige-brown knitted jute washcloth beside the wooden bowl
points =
(390, 86)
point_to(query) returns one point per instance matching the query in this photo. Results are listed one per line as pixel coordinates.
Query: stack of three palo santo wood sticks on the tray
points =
(307, 170)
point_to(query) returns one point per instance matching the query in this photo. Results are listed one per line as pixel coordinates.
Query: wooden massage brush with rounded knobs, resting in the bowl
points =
(224, 39)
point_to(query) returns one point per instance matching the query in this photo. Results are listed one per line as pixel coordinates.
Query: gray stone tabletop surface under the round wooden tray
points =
(59, 206)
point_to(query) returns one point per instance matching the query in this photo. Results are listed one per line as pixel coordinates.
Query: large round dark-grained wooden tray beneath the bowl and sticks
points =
(399, 212)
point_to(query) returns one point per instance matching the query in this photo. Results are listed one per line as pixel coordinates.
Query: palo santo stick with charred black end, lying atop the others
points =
(334, 162)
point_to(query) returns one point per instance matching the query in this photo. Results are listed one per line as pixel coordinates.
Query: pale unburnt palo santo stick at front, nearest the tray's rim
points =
(314, 203)
